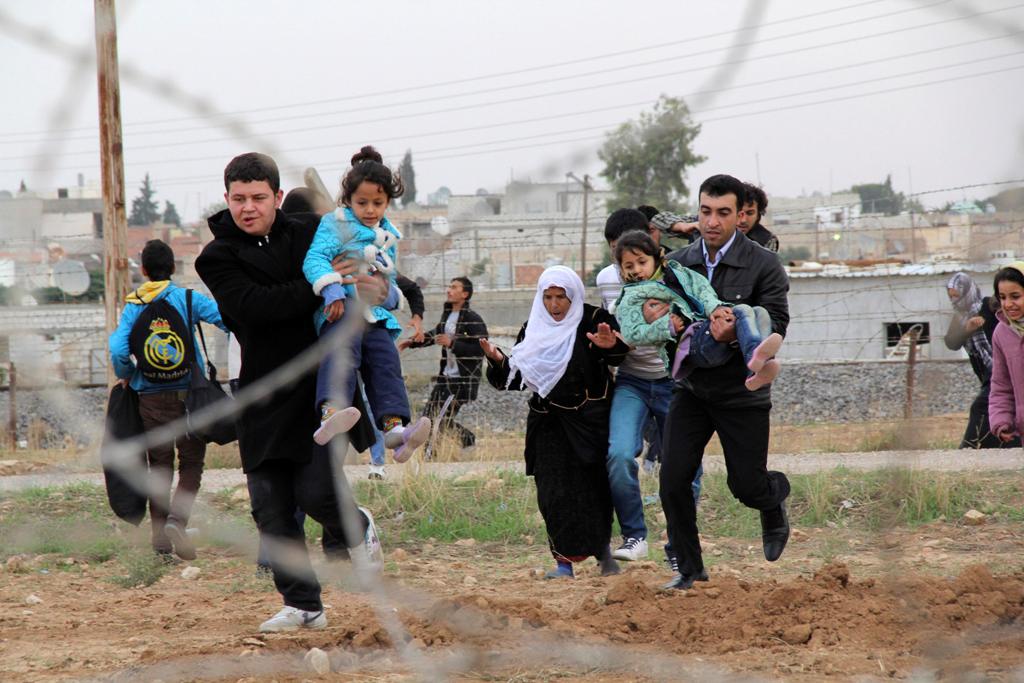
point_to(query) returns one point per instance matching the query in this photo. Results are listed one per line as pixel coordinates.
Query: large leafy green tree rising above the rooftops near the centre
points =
(646, 161)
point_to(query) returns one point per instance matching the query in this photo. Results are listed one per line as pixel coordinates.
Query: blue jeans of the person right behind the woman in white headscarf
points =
(635, 401)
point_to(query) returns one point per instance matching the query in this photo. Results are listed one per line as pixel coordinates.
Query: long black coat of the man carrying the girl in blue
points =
(267, 303)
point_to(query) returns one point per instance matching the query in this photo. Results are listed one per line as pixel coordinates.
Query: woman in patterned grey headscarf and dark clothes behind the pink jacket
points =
(971, 329)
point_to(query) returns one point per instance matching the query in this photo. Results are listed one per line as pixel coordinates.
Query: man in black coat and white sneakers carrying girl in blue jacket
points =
(253, 268)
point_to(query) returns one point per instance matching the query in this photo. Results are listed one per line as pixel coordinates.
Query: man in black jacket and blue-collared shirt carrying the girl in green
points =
(716, 400)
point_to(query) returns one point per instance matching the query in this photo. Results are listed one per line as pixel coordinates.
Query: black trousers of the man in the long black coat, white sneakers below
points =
(277, 489)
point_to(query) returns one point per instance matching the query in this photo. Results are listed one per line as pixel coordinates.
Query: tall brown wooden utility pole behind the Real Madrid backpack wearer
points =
(116, 276)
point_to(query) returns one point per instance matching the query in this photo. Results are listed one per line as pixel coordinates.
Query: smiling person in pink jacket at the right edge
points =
(1006, 401)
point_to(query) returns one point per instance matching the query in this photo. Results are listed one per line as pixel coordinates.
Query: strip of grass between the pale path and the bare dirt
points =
(501, 507)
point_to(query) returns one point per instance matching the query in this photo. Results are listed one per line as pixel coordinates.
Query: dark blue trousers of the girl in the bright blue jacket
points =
(375, 358)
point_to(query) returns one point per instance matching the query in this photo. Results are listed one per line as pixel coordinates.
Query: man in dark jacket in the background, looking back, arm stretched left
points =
(459, 334)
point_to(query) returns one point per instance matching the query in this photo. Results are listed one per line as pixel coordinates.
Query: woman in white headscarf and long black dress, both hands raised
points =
(564, 354)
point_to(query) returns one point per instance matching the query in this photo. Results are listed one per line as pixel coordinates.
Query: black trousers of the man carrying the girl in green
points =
(744, 433)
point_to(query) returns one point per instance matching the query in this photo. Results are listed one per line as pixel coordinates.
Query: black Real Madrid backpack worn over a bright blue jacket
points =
(162, 344)
